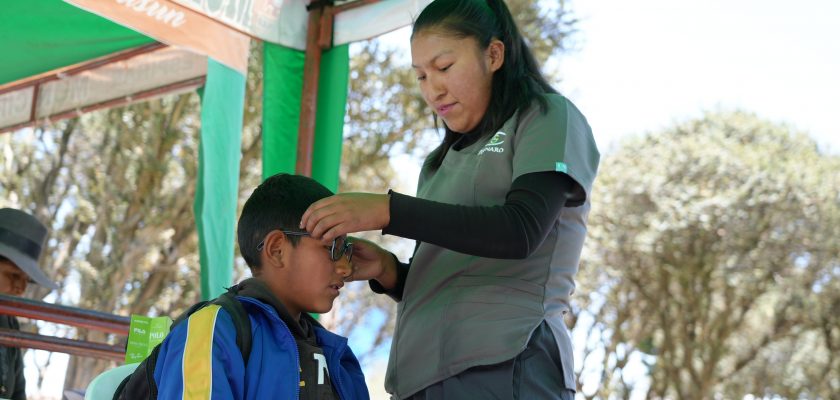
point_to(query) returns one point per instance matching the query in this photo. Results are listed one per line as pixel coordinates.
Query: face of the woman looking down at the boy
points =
(455, 76)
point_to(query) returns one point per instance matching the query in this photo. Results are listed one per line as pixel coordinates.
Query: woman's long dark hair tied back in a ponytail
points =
(516, 85)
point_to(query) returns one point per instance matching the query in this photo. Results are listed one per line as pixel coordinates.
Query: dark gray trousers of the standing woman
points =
(535, 374)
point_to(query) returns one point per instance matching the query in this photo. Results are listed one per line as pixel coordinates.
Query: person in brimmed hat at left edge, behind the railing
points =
(22, 238)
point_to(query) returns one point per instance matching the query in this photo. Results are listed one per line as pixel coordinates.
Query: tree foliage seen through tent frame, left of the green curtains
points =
(113, 186)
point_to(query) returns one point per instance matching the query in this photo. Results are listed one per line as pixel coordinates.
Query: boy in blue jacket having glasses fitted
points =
(292, 356)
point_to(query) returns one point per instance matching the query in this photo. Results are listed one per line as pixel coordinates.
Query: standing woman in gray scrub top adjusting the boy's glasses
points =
(499, 218)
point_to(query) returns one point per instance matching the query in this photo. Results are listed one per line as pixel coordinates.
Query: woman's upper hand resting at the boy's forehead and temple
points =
(345, 213)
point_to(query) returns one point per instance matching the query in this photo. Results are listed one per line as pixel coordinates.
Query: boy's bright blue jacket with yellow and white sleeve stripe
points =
(202, 353)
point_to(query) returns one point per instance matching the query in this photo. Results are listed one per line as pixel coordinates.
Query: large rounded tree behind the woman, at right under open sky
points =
(712, 265)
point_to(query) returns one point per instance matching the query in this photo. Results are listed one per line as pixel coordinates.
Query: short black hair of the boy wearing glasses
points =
(277, 203)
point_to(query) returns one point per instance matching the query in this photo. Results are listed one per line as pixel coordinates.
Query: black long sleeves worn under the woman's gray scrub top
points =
(512, 230)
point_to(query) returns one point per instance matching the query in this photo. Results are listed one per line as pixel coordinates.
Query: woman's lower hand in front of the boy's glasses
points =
(373, 262)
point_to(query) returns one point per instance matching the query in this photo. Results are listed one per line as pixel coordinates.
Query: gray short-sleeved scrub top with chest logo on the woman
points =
(460, 311)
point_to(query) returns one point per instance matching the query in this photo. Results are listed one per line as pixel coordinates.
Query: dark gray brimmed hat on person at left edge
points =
(21, 239)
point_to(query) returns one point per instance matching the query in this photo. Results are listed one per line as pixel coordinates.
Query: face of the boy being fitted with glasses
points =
(309, 280)
